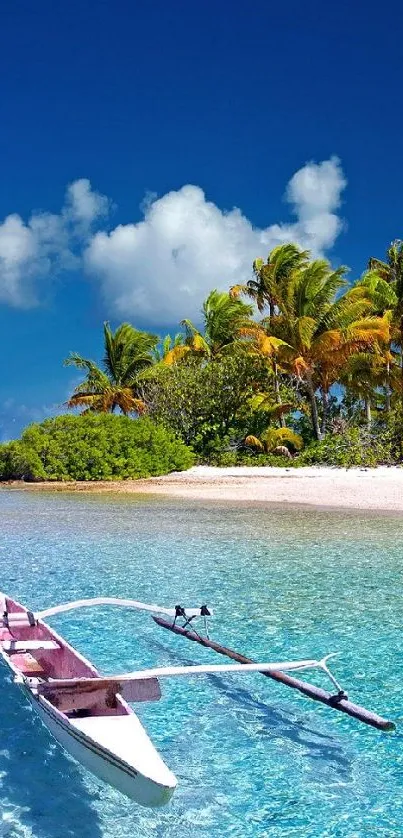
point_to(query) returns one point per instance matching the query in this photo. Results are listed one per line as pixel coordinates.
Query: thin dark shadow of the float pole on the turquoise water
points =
(275, 723)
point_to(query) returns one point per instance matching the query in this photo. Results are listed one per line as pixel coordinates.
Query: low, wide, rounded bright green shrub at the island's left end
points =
(93, 447)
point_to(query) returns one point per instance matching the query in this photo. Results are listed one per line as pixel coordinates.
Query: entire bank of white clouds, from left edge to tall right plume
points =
(159, 270)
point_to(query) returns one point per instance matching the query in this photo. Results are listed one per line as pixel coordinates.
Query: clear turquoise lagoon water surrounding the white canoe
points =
(252, 758)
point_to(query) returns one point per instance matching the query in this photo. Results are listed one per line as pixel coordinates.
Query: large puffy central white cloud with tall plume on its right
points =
(160, 269)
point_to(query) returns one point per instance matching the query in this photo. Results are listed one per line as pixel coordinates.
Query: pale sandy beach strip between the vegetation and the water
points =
(378, 489)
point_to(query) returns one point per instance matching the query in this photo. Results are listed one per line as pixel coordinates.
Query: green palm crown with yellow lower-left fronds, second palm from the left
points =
(223, 320)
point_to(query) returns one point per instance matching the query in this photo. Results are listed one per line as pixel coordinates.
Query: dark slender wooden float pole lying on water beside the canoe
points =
(336, 702)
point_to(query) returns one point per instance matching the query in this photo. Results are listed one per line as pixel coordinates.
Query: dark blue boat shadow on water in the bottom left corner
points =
(41, 789)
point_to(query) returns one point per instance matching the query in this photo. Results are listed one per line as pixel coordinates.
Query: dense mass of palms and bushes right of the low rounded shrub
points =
(316, 377)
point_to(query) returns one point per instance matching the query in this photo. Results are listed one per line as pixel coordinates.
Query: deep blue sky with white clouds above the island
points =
(131, 131)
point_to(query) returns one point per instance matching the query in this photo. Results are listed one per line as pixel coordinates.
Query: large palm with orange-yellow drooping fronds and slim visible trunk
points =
(321, 331)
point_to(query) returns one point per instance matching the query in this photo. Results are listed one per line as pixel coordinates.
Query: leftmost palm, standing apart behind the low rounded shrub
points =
(128, 351)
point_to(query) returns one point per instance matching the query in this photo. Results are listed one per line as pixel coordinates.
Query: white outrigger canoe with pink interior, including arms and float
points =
(88, 713)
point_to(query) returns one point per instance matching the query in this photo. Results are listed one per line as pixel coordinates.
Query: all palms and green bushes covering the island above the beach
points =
(296, 368)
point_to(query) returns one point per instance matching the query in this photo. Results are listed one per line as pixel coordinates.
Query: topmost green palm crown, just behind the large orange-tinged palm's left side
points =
(271, 277)
